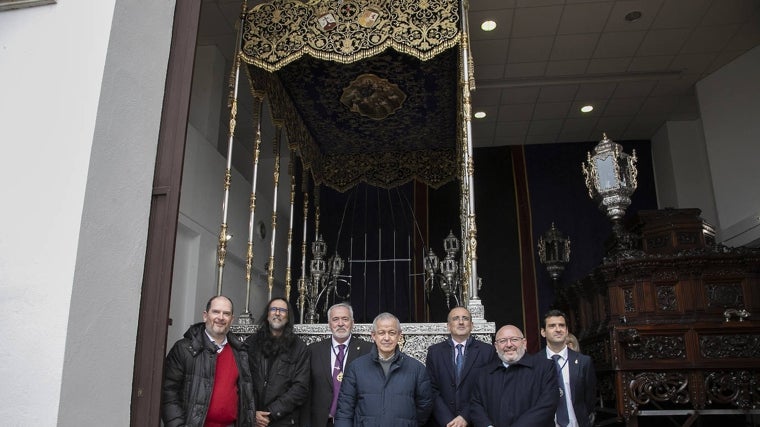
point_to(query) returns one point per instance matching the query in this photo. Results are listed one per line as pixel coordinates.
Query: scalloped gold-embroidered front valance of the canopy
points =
(281, 31)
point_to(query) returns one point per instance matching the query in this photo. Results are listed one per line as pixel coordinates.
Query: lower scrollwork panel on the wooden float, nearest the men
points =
(659, 387)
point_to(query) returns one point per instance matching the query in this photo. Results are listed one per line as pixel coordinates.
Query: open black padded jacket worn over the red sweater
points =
(189, 378)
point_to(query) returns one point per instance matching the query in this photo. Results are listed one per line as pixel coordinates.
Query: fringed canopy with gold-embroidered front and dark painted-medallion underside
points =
(366, 89)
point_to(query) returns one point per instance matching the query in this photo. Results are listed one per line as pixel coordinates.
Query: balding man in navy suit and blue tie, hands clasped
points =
(453, 366)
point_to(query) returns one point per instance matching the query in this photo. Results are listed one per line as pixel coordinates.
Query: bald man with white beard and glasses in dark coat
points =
(520, 390)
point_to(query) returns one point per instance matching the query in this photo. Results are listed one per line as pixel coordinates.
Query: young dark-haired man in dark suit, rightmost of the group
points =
(575, 374)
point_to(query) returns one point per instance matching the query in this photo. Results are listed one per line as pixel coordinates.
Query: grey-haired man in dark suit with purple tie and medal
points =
(329, 359)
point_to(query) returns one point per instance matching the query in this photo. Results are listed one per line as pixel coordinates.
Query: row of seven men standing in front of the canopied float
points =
(213, 379)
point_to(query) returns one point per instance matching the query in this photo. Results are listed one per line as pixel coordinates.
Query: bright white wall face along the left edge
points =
(52, 60)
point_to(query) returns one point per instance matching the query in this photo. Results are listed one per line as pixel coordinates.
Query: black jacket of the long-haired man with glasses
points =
(281, 385)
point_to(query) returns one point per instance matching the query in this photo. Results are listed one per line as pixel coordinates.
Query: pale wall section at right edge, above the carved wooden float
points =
(729, 102)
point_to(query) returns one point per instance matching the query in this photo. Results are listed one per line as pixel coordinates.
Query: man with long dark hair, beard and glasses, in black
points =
(279, 367)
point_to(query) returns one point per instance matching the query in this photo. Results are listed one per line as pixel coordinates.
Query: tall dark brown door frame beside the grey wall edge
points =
(150, 348)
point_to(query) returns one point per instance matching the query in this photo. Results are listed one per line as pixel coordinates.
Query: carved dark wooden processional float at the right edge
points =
(671, 328)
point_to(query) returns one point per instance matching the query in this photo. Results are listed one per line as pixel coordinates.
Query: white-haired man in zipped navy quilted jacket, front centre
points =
(385, 387)
